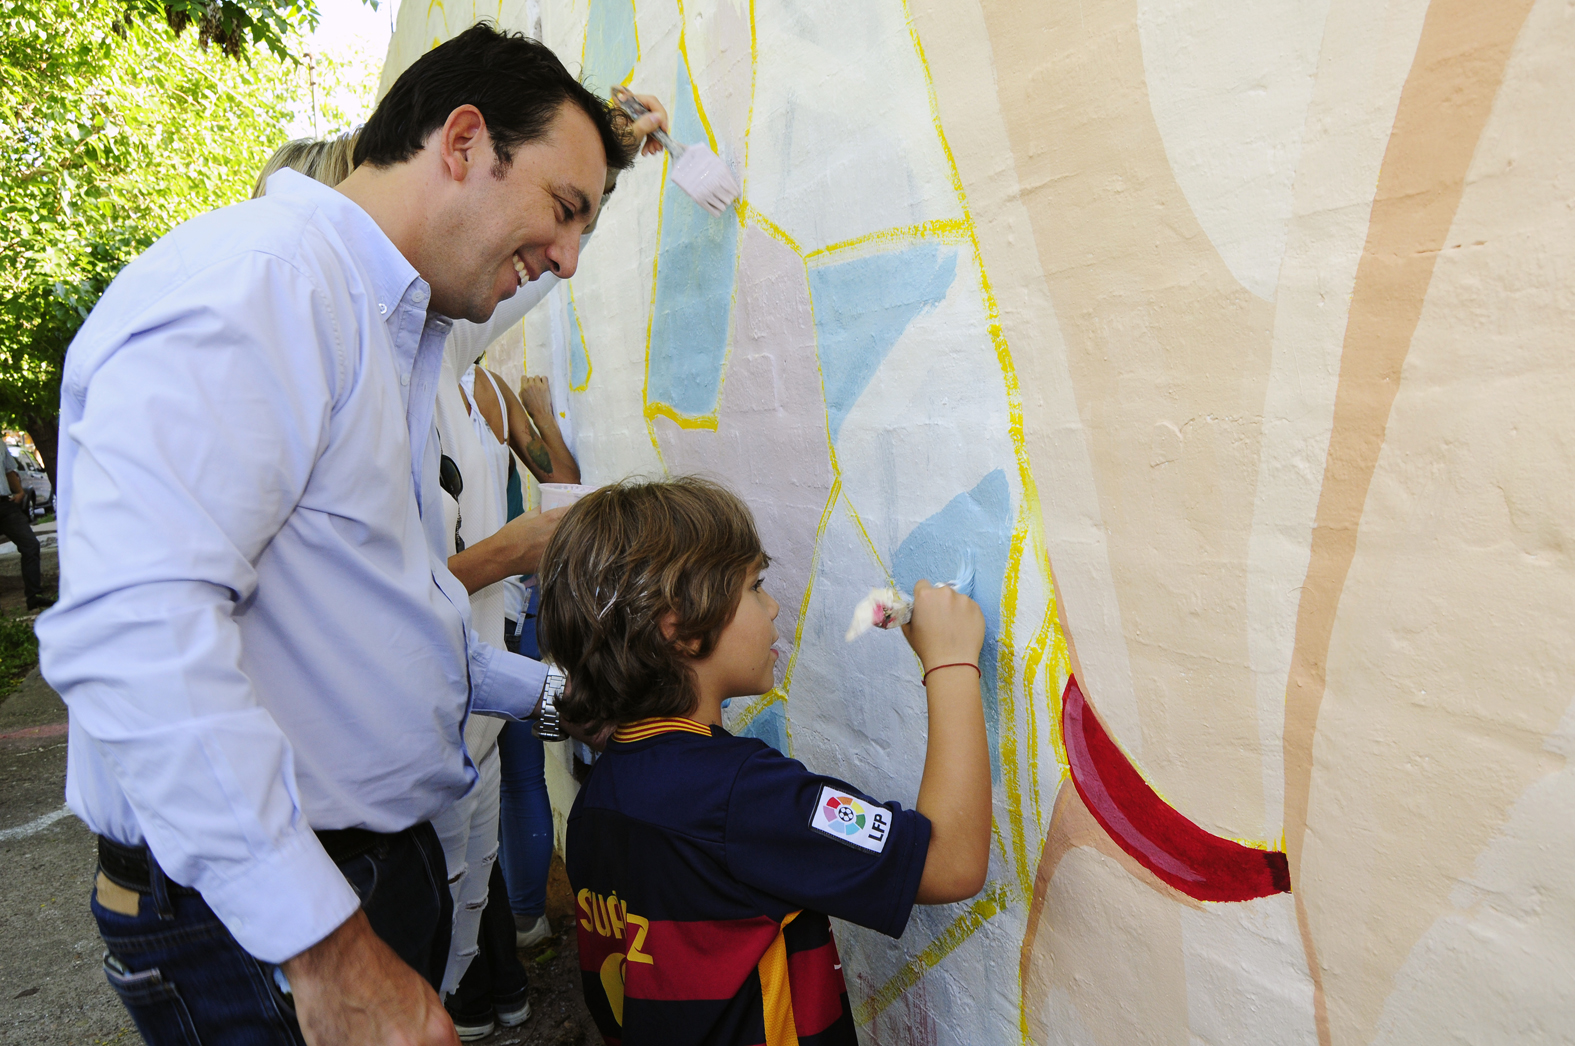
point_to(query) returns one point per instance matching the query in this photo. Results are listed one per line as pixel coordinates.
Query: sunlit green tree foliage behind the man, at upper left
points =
(117, 127)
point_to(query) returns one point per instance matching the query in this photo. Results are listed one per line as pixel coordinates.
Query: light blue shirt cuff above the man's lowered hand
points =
(287, 903)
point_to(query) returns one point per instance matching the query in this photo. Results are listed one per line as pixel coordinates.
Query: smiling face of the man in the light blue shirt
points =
(502, 232)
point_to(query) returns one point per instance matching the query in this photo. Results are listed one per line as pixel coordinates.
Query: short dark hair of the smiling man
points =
(517, 84)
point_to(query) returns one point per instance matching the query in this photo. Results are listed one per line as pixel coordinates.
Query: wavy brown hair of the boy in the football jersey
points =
(620, 565)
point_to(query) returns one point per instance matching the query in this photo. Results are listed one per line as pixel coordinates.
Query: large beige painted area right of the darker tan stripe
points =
(1451, 656)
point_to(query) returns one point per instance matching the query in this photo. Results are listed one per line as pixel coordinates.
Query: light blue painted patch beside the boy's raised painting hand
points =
(976, 527)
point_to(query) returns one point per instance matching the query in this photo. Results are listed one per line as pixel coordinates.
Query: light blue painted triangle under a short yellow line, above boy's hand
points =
(862, 310)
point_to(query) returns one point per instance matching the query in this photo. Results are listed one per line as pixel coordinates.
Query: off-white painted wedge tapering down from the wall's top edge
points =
(1229, 84)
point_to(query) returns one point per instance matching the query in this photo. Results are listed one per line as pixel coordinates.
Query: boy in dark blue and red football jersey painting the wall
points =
(706, 866)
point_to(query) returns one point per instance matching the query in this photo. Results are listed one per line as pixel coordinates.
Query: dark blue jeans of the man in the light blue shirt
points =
(185, 981)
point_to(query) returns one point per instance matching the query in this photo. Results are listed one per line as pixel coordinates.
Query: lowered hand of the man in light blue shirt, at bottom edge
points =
(352, 990)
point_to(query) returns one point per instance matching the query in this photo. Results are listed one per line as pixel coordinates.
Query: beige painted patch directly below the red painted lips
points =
(1113, 960)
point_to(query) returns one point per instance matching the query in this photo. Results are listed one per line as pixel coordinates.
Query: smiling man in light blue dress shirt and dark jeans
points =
(267, 662)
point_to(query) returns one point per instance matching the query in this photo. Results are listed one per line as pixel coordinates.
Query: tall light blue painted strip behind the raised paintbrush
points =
(695, 272)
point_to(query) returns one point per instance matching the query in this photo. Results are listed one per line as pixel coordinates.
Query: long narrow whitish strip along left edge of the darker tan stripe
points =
(1366, 59)
